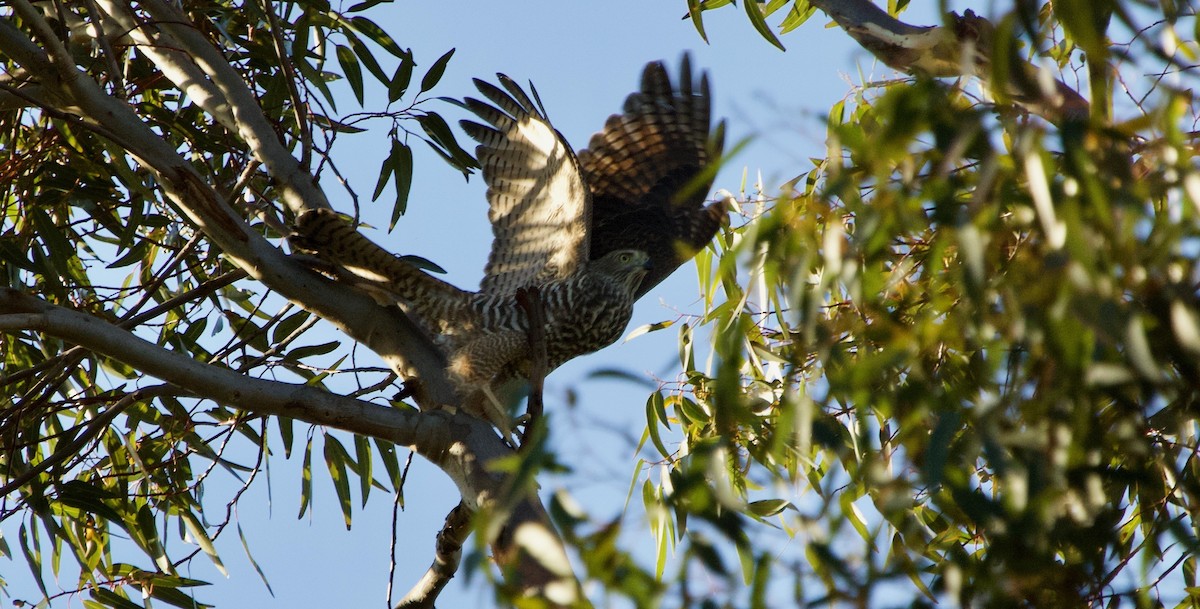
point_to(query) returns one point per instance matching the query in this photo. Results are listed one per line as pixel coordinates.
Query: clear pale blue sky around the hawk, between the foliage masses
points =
(584, 59)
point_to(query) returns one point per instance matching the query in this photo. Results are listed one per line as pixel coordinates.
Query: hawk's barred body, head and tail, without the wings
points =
(583, 313)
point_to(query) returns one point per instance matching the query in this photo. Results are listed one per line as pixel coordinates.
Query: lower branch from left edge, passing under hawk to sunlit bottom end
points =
(460, 445)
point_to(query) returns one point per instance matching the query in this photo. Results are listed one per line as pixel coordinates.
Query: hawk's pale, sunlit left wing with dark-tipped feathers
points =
(539, 204)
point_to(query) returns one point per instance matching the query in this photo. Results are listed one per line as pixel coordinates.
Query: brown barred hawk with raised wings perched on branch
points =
(589, 234)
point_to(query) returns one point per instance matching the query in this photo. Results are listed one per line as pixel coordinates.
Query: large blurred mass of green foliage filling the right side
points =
(970, 337)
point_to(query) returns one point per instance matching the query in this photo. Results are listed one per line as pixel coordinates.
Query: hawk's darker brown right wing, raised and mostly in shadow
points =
(650, 173)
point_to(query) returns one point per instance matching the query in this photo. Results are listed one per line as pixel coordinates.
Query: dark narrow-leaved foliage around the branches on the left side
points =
(92, 455)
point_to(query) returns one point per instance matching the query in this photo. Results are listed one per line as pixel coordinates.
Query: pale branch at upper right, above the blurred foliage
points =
(963, 47)
